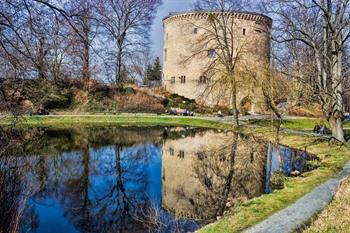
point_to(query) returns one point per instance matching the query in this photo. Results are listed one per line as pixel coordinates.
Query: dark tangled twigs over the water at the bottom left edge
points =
(14, 188)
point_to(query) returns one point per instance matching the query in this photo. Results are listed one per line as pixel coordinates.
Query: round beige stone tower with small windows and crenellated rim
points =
(184, 68)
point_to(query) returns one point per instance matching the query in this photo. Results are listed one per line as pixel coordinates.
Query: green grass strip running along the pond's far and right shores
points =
(252, 211)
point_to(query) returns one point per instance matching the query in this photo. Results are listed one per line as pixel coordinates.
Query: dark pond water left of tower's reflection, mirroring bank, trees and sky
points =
(99, 178)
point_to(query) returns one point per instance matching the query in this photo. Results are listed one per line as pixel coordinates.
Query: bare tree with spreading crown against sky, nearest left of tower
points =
(128, 23)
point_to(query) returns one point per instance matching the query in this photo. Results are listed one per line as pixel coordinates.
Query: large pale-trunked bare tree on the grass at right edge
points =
(323, 26)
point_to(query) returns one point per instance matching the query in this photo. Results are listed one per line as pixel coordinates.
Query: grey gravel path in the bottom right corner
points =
(298, 214)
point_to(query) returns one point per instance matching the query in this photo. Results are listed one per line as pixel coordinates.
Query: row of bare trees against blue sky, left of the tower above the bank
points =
(83, 39)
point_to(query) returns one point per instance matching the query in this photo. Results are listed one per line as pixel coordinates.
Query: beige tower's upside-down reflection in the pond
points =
(205, 174)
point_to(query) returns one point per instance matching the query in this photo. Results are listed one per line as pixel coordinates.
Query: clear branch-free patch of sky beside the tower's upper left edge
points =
(164, 10)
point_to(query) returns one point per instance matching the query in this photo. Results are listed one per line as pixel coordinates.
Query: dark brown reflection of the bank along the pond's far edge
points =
(55, 141)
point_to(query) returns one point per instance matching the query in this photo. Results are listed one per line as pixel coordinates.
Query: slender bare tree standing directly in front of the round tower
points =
(227, 49)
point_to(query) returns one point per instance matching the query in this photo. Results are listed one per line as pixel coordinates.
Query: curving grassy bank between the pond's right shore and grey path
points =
(255, 210)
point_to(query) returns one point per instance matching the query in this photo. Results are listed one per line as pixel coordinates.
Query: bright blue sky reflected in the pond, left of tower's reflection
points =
(140, 167)
